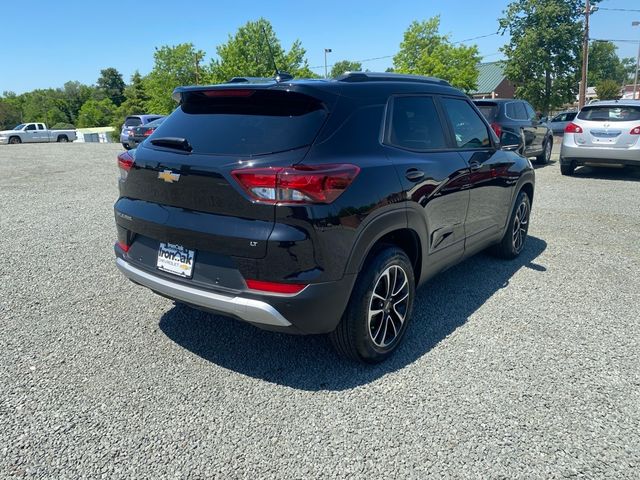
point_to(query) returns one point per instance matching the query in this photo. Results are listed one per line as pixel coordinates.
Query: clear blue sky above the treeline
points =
(48, 43)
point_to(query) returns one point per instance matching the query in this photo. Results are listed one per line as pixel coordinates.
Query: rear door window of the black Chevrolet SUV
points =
(415, 124)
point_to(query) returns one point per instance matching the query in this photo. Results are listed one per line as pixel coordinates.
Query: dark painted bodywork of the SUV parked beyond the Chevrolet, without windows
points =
(533, 132)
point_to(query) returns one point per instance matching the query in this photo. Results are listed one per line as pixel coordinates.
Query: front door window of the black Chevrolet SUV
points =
(469, 129)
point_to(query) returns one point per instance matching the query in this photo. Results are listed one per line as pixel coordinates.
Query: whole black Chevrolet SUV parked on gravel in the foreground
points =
(317, 206)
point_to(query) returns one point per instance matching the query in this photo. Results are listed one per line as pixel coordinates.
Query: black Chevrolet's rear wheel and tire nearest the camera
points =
(372, 338)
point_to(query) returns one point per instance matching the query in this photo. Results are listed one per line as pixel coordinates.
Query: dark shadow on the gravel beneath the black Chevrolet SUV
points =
(309, 362)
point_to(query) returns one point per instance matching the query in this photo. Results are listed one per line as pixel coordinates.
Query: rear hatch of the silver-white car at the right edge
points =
(608, 126)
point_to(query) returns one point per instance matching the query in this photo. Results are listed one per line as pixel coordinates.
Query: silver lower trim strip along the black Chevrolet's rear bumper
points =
(247, 309)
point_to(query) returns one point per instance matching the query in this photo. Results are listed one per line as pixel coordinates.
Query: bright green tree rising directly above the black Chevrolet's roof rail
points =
(425, 51)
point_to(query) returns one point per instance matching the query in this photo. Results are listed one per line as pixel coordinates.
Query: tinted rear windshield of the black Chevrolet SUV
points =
(245, 122)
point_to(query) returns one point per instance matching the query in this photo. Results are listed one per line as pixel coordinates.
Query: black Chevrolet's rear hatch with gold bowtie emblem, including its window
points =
(180, 188)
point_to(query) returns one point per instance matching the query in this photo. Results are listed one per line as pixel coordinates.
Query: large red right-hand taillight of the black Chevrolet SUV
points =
(297, 184)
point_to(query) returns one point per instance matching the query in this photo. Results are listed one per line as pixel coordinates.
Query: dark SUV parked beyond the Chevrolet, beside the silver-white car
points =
(511, 118)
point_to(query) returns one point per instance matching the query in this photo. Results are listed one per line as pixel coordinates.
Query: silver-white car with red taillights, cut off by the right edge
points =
(603, 133)
